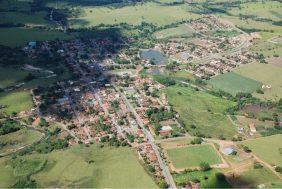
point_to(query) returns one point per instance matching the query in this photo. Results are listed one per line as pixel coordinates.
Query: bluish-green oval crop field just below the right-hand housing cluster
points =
(234, 83)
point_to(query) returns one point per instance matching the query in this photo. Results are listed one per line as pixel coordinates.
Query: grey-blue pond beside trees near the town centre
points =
(156, 56)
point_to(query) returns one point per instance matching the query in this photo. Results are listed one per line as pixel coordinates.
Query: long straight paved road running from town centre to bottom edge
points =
(151, 140)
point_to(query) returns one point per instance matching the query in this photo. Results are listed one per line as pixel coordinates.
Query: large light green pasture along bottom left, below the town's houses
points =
(110, 168)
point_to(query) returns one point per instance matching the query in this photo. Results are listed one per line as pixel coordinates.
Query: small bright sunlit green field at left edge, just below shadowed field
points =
(16, 101)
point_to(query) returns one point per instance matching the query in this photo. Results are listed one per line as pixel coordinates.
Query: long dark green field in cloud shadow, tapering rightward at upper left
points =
(11, 37)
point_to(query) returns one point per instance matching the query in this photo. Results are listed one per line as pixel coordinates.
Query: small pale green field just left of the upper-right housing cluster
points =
(182, 30)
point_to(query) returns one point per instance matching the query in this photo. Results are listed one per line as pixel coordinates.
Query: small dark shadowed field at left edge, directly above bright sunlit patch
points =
(11, 76)
